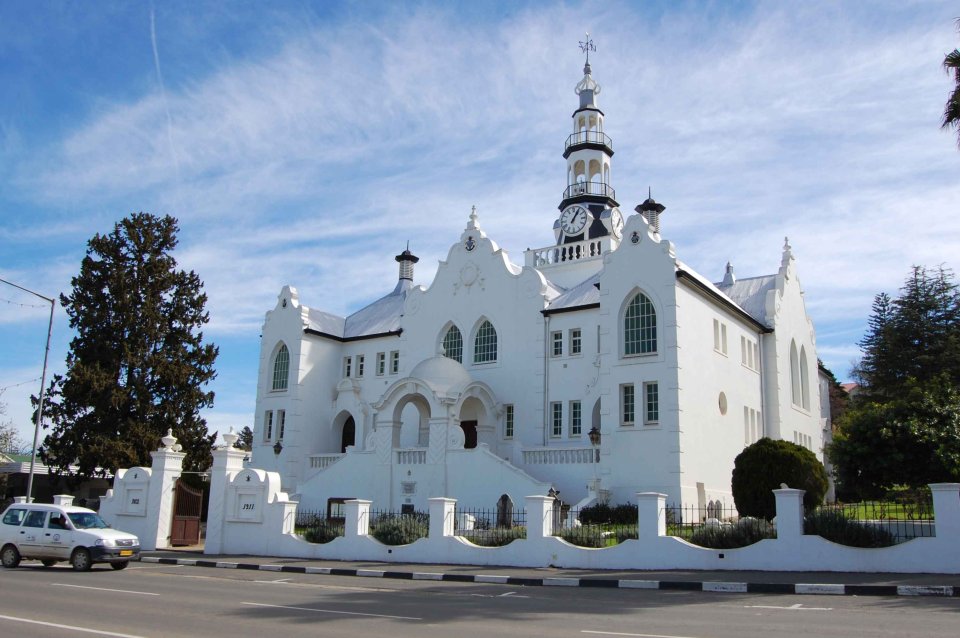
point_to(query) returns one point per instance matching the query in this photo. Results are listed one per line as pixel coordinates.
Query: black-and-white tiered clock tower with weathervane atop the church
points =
(588, 209)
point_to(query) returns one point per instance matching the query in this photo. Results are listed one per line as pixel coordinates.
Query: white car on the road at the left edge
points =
(54, 533)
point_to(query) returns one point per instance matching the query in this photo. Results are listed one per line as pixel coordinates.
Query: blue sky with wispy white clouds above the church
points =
(304, 143)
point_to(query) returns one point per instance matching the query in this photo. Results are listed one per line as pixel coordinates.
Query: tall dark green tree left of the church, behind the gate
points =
(138, 363)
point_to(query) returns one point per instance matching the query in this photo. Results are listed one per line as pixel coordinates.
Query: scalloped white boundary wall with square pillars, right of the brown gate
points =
(250, 515)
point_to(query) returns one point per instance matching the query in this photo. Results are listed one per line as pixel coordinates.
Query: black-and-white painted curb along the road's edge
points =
(611, 583)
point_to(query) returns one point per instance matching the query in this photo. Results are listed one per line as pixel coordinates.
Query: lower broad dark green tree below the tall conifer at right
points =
(911, 440)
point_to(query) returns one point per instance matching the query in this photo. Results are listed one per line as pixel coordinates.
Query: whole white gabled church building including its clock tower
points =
(600, 367)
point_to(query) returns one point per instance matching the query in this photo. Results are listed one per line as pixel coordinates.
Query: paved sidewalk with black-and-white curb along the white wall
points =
(832, 583)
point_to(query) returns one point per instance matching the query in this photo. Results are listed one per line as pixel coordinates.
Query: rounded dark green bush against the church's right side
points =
(763, 466)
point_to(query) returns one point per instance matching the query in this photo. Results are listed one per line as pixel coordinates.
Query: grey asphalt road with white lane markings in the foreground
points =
(153, 601)
